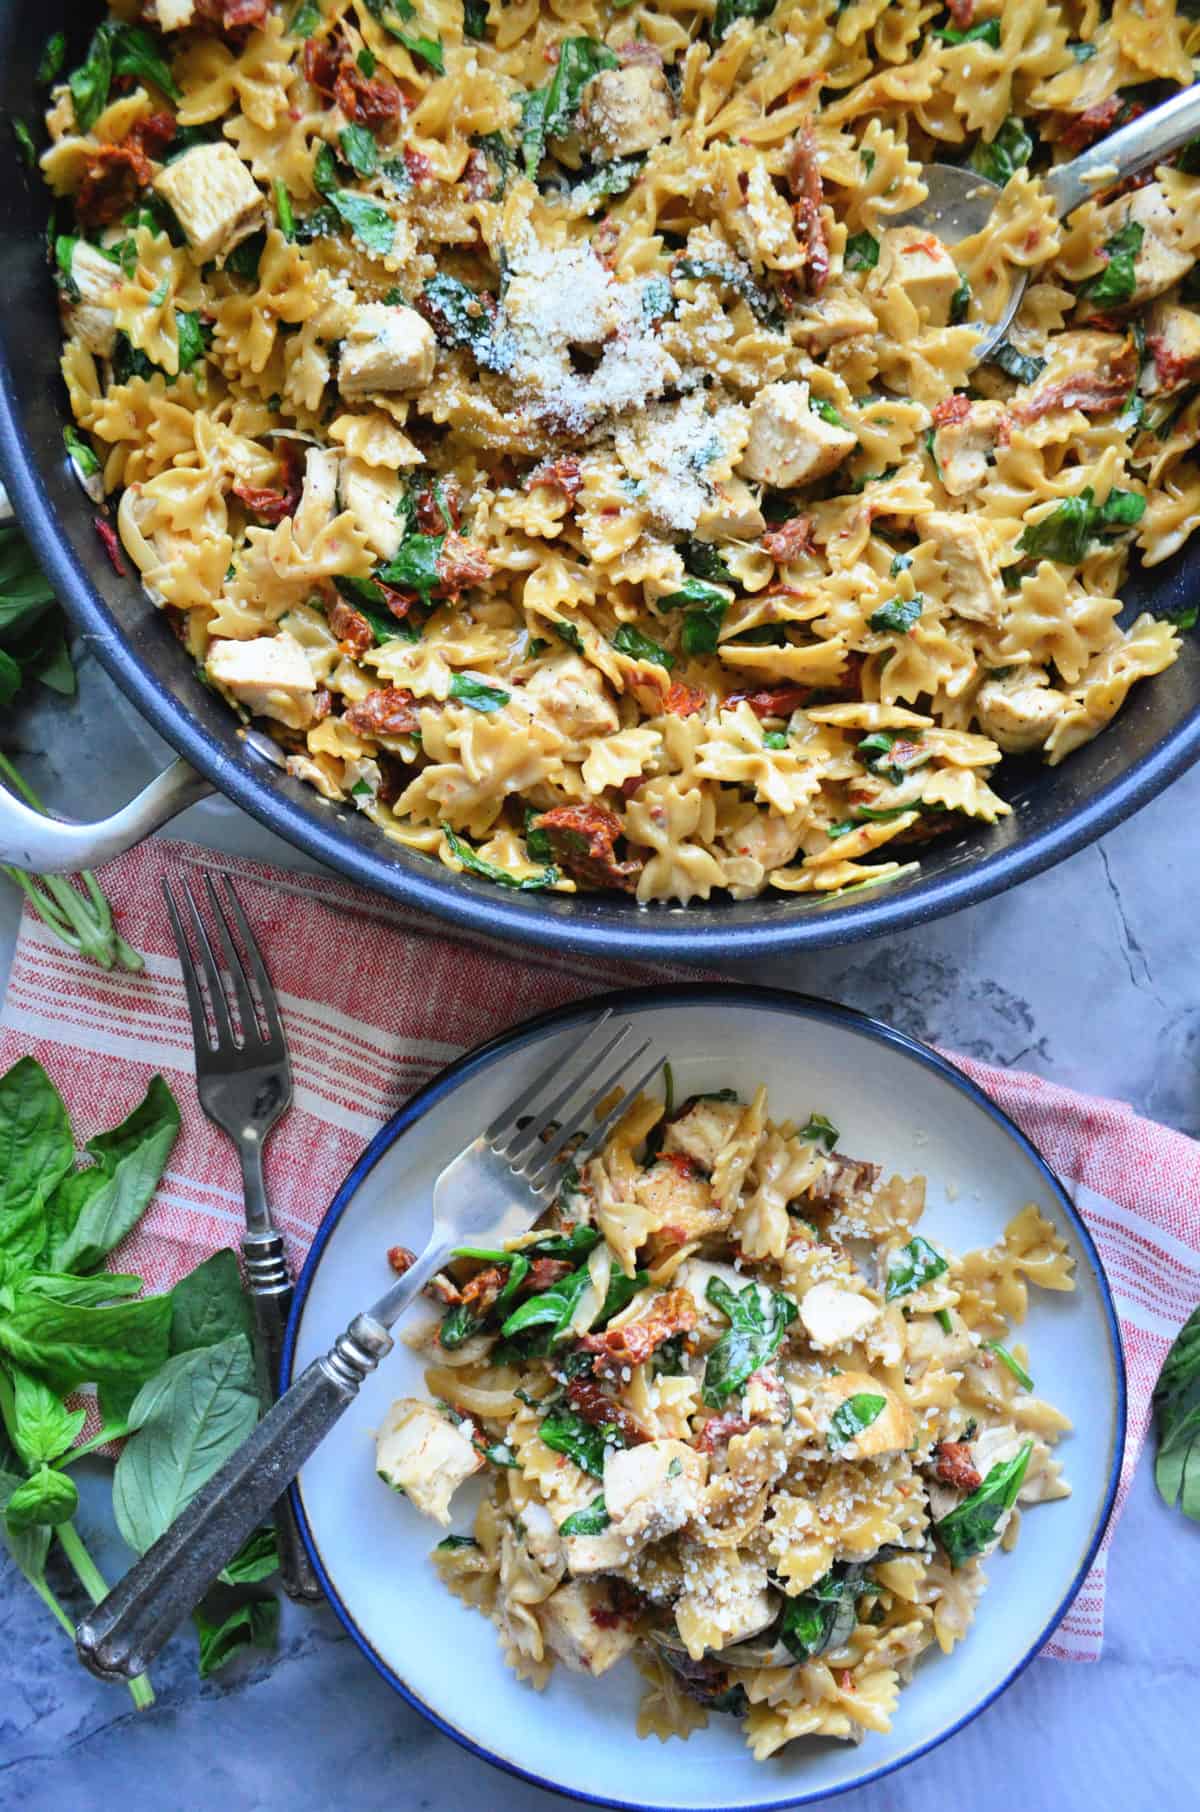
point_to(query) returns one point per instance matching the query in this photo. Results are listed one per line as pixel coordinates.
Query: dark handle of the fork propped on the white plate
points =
(126, 1630)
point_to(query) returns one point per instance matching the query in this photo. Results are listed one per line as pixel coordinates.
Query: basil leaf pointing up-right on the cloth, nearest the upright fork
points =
(131, 1161)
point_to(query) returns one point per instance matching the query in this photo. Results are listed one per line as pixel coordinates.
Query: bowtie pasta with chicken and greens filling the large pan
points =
(545, 421)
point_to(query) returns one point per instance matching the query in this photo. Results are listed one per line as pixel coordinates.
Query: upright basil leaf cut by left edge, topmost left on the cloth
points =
(37, 1152)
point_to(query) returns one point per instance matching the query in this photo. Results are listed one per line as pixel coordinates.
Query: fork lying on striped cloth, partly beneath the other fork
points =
(246, 1084)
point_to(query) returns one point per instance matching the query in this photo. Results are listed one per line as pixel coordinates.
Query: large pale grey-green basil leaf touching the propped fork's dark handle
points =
(188, 1420)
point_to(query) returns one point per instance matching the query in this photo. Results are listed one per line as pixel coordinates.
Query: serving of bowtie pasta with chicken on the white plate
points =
(737, 1418)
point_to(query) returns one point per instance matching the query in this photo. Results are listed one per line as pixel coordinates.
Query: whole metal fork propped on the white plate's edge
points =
(492, 1191)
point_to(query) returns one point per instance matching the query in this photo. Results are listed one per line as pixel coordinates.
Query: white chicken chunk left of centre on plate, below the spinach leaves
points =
(650, 1492)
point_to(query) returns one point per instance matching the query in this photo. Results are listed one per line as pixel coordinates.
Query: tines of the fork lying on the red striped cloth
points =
(260, 1028)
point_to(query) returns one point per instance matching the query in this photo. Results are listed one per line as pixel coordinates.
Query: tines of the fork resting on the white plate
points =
(536, 1132)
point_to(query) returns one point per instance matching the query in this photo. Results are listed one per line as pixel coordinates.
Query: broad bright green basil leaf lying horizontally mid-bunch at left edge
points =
(70, 1344)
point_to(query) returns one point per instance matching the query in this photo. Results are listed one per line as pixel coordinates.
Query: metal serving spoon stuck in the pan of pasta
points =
(960, 200)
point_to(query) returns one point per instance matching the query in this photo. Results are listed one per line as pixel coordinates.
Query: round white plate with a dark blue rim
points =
(896, 1103)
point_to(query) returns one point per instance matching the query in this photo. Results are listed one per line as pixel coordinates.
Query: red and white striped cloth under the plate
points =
(376, 1003)
